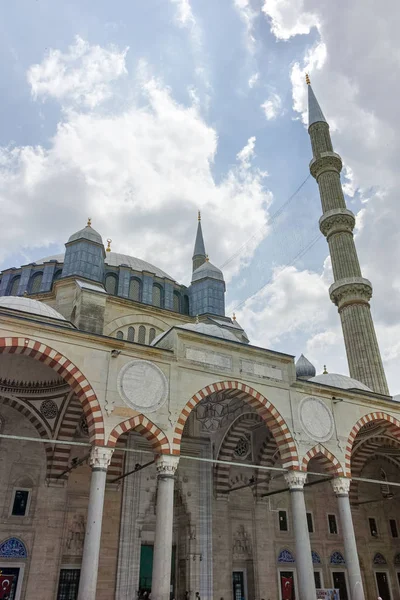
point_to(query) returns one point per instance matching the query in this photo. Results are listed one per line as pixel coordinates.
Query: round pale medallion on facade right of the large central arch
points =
(316, 419)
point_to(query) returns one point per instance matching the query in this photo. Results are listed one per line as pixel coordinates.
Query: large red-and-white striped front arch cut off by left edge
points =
(69, 372)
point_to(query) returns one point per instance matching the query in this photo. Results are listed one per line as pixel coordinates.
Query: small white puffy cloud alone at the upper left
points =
(82, 75)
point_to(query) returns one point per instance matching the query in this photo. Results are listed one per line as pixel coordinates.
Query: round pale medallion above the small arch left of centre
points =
(142, 385)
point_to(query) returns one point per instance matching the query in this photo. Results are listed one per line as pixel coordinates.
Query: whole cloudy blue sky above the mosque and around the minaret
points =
(139, 113)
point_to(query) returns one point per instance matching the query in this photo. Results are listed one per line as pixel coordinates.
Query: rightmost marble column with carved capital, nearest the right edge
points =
(341, 487)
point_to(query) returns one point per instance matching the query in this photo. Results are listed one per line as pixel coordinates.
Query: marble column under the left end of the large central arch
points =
(166, 466)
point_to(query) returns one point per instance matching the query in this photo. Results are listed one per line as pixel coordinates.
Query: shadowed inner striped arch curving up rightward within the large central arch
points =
(236, 431)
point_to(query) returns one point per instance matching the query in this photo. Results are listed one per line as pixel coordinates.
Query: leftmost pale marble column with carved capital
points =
(100, 458)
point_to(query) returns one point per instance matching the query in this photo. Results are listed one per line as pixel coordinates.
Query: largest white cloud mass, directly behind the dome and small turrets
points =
(141, 174)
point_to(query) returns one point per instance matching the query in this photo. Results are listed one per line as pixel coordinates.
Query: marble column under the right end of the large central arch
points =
(304, 567)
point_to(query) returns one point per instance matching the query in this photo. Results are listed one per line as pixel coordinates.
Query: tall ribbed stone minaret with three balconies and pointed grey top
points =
(350, 292)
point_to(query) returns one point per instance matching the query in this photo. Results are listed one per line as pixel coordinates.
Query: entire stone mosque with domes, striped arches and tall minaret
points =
(148, 446)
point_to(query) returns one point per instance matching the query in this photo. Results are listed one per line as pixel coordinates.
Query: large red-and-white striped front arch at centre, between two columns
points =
(264, 408)
